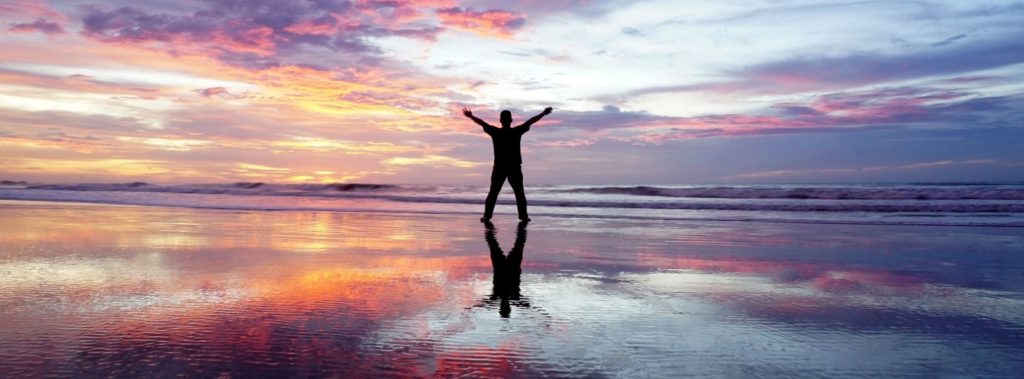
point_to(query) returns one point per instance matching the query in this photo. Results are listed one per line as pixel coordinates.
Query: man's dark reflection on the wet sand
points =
(507, 270)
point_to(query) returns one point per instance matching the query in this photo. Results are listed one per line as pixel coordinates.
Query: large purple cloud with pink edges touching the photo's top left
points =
(243, 32)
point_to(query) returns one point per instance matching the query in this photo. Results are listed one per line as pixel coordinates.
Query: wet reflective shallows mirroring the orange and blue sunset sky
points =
(98, 290)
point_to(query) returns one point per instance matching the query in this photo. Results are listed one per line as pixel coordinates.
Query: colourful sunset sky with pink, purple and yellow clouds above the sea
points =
(644, 92)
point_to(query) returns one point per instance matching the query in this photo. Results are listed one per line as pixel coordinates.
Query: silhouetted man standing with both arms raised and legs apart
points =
(508, 159)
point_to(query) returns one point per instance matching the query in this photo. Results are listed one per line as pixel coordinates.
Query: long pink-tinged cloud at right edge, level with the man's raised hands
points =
(885, 108)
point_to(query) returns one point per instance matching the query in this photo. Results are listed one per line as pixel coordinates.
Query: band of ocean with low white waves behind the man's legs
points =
(913, 204)
